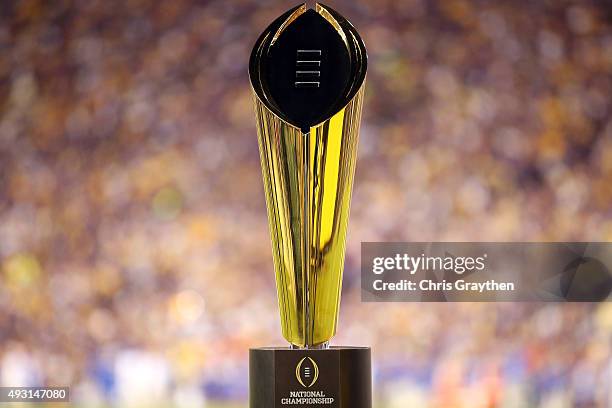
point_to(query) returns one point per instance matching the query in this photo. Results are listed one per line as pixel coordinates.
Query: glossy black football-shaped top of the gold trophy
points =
(308, 67)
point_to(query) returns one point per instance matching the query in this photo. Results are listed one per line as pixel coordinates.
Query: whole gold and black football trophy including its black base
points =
(307, 71)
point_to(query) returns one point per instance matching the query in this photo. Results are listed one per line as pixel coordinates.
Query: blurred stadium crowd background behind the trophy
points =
(135, 263)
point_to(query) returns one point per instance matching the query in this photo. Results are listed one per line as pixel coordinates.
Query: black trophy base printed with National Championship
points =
(338, 377)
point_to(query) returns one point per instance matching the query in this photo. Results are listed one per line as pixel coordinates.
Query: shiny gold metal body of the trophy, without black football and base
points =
(308, 179)
